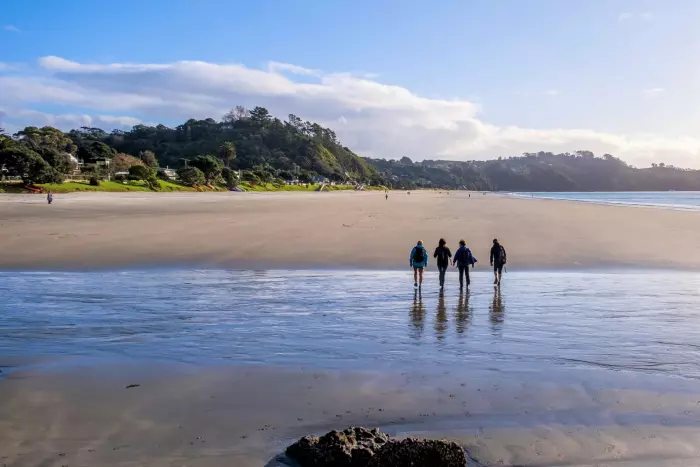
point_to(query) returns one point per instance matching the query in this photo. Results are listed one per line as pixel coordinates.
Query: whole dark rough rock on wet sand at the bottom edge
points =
(361, 447)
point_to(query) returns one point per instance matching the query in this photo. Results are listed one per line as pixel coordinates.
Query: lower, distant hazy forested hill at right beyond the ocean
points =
(543, 171)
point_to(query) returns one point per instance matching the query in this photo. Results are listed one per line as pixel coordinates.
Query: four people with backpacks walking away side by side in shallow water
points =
(463, 259)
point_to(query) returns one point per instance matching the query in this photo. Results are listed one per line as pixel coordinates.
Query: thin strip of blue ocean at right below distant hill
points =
(683, 200)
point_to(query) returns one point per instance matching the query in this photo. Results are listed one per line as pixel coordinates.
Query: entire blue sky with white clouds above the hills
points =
(451, 79)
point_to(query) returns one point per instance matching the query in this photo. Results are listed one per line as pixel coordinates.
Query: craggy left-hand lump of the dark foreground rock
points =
(353, 447)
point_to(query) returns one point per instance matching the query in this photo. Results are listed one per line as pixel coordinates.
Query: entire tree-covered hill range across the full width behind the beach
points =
(267, 148)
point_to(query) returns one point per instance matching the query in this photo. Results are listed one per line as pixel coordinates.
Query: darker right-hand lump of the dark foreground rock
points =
(417, 452)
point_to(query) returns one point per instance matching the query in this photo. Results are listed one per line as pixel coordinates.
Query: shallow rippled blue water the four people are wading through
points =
(632, 321)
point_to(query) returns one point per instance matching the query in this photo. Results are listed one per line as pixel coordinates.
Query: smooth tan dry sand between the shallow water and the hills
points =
(335, 230)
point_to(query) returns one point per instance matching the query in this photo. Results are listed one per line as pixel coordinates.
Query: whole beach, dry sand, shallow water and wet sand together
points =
(216, 329)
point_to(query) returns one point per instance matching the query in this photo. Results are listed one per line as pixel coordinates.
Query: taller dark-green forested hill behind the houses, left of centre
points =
(247, 140)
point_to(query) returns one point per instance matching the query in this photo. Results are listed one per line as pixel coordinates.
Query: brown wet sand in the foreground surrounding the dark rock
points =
(246, 416)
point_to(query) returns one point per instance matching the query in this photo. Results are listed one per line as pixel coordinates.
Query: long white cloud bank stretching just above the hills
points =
(372, 118)
